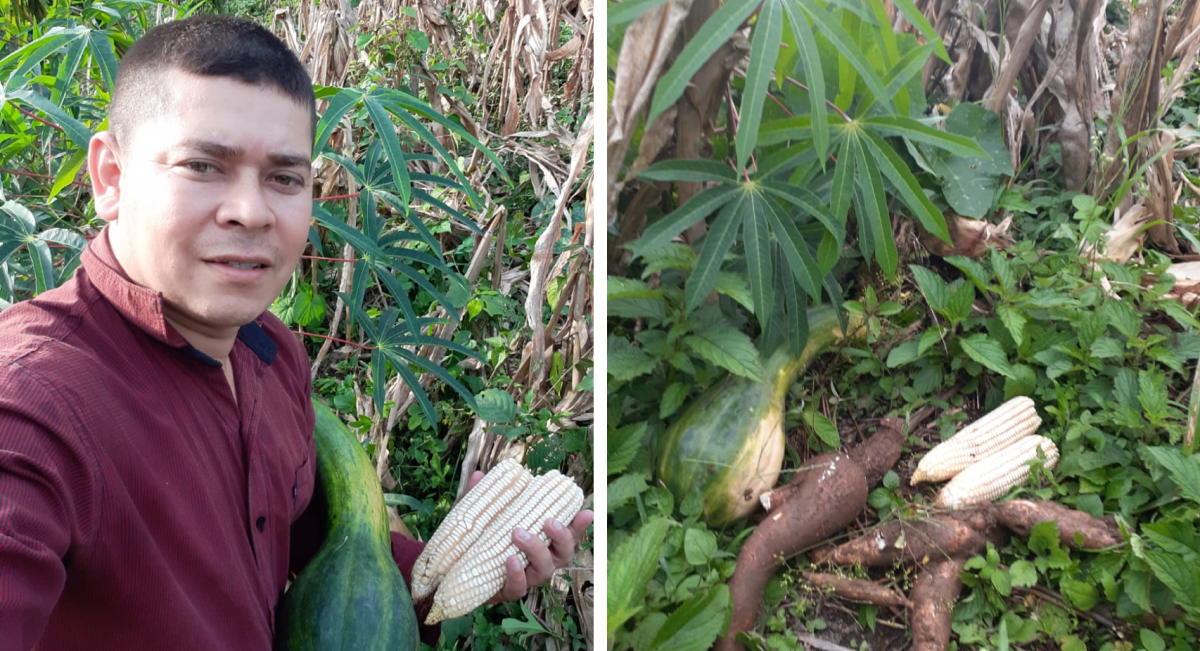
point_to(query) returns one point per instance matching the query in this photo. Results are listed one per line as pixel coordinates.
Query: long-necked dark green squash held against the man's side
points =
(351, 596)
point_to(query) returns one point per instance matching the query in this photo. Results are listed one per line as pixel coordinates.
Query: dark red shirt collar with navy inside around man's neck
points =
(142, 307)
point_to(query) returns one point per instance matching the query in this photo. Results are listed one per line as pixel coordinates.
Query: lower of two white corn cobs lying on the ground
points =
(995, 475)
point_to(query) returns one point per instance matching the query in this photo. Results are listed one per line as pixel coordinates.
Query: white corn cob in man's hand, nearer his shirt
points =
(466, 523)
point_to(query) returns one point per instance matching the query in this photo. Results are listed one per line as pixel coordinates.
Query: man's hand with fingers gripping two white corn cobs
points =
(544, 559)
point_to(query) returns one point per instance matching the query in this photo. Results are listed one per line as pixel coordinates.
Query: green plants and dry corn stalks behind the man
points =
(447, 295)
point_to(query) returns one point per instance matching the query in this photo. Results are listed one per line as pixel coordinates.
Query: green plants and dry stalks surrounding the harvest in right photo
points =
(1007, 192)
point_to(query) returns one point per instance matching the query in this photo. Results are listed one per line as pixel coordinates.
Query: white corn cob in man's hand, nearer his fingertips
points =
(481, 574)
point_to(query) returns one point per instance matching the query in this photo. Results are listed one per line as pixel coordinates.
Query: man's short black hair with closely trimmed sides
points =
(209, 46)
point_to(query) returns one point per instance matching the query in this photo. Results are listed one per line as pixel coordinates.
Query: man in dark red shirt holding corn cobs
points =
(157, 455)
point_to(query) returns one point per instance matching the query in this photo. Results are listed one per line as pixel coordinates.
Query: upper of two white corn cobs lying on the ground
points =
(991, 434)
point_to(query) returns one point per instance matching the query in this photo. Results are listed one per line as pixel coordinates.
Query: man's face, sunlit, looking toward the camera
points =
(215, 200)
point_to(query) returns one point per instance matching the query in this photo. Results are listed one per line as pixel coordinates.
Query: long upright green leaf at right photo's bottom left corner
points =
(631, 569)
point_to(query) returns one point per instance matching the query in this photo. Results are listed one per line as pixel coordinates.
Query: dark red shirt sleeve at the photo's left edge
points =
(50, 500)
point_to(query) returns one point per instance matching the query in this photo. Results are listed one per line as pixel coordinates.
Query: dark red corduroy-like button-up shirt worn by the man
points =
(141, 507)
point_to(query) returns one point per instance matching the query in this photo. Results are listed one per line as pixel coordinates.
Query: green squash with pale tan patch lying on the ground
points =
(729, 444)
